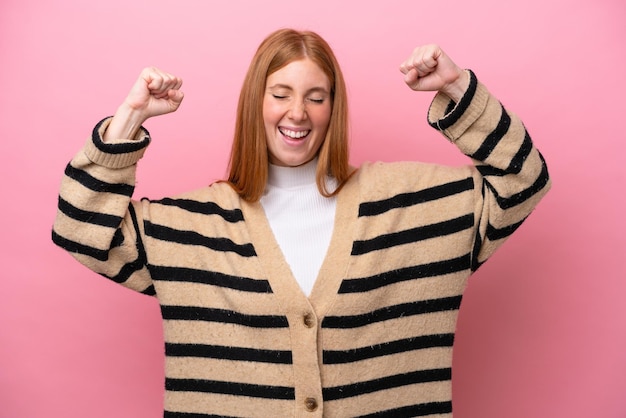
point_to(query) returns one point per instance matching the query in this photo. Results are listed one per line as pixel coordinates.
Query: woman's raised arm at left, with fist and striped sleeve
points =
(97, 222)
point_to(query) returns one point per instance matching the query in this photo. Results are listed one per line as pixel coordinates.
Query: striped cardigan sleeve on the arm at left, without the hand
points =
(97, 222)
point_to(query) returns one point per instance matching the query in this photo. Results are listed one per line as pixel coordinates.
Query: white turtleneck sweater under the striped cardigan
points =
(301, 219)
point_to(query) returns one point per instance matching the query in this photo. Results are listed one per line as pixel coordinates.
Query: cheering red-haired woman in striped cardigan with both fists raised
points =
(302, 286)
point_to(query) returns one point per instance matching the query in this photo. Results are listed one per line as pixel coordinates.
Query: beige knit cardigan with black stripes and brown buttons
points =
(375, 337)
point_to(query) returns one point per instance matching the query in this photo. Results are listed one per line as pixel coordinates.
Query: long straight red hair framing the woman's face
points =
(248, 167)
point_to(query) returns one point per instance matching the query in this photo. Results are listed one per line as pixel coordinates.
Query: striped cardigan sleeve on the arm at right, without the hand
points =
(511, 175)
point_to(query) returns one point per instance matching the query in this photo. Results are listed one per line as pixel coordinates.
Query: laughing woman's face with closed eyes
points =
(296, 112)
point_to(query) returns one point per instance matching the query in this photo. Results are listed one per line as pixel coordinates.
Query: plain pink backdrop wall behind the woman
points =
(542, 331)
